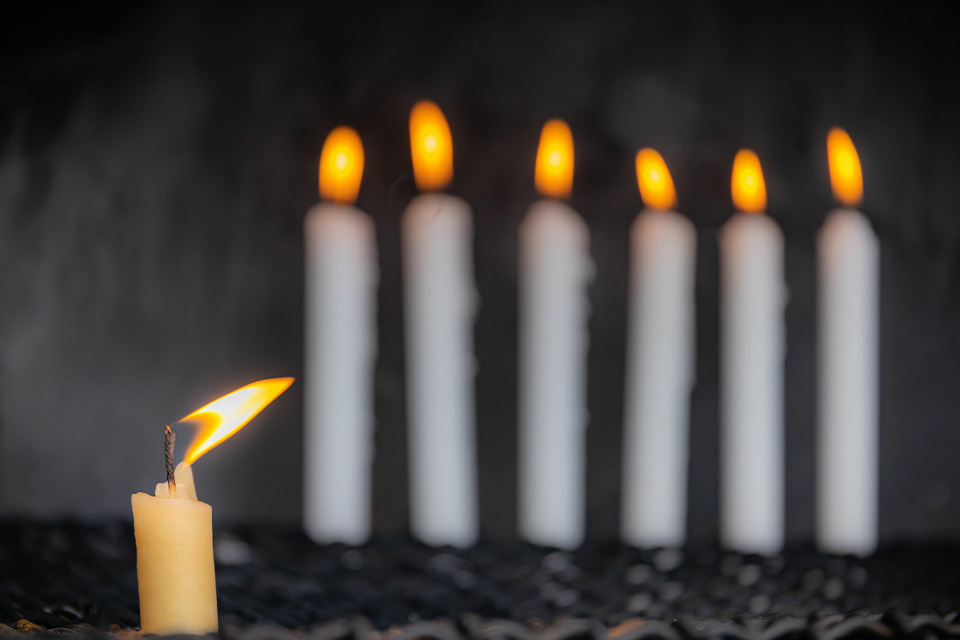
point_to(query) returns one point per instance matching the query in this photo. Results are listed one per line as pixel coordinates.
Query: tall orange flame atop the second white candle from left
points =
(431, 146)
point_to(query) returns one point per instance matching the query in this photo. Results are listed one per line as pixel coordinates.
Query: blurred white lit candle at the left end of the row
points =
(341, 303)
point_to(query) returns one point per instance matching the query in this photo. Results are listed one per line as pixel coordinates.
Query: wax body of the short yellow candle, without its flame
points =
(175, 574)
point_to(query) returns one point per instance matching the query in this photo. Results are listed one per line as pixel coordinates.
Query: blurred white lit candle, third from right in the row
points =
(660, 363)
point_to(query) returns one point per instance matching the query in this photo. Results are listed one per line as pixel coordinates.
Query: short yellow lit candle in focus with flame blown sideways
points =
(175, 575)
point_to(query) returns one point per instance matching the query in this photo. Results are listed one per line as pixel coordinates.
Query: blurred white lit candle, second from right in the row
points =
(752, 298)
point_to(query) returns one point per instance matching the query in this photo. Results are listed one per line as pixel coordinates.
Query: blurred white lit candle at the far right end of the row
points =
(848, 257)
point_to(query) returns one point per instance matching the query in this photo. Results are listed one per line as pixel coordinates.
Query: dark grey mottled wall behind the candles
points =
(156, 164)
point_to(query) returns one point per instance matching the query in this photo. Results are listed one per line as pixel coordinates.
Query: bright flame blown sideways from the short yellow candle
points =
(225, 416)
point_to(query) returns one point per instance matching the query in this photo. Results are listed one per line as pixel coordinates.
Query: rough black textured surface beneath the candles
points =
(69, 574)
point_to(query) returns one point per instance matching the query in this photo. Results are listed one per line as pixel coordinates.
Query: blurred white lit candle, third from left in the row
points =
(555, 268)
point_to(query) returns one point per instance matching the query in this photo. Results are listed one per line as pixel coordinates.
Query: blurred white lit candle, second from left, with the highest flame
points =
(440, 303)
